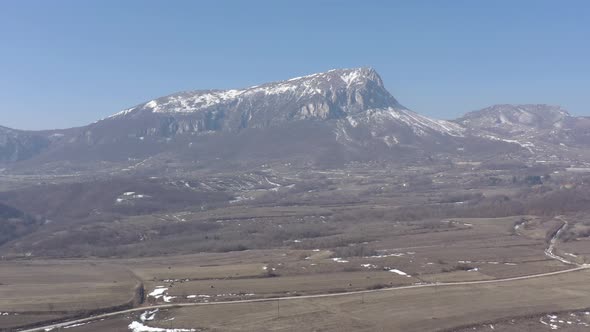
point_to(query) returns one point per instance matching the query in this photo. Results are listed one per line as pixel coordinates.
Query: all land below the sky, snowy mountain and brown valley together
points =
(316, 203)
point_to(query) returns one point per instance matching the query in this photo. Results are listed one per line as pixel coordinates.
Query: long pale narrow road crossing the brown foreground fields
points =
(292, 298)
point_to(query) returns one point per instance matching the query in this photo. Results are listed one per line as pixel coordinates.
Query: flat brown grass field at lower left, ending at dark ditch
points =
(44, 291)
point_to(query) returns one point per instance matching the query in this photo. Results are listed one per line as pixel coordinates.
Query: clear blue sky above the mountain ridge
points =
(69, 63)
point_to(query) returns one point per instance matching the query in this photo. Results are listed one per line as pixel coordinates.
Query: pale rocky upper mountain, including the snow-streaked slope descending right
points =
(353, 102)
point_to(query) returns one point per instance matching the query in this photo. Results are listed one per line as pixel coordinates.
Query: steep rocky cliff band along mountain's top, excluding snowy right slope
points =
(324, 96)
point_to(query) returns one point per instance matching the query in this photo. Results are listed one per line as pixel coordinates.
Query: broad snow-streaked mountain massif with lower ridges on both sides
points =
(326, 118)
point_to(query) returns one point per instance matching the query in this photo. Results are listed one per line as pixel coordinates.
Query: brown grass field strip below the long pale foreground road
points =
(421, 309)
